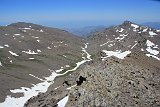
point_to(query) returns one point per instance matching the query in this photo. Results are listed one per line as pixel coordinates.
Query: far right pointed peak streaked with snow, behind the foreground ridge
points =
(128, 37)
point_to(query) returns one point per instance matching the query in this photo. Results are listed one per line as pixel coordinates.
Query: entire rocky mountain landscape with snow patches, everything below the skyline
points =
(48, 67)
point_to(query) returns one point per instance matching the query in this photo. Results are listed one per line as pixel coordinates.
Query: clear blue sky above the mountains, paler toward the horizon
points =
(74, 13)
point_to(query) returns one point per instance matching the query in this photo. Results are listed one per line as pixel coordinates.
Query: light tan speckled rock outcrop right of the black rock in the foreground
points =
(116, 84)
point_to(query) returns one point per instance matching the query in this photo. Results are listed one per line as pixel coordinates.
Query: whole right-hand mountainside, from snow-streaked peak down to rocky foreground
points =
(122, 70)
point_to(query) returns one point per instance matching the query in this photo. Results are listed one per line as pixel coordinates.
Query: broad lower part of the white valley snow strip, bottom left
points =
(28, 93)
